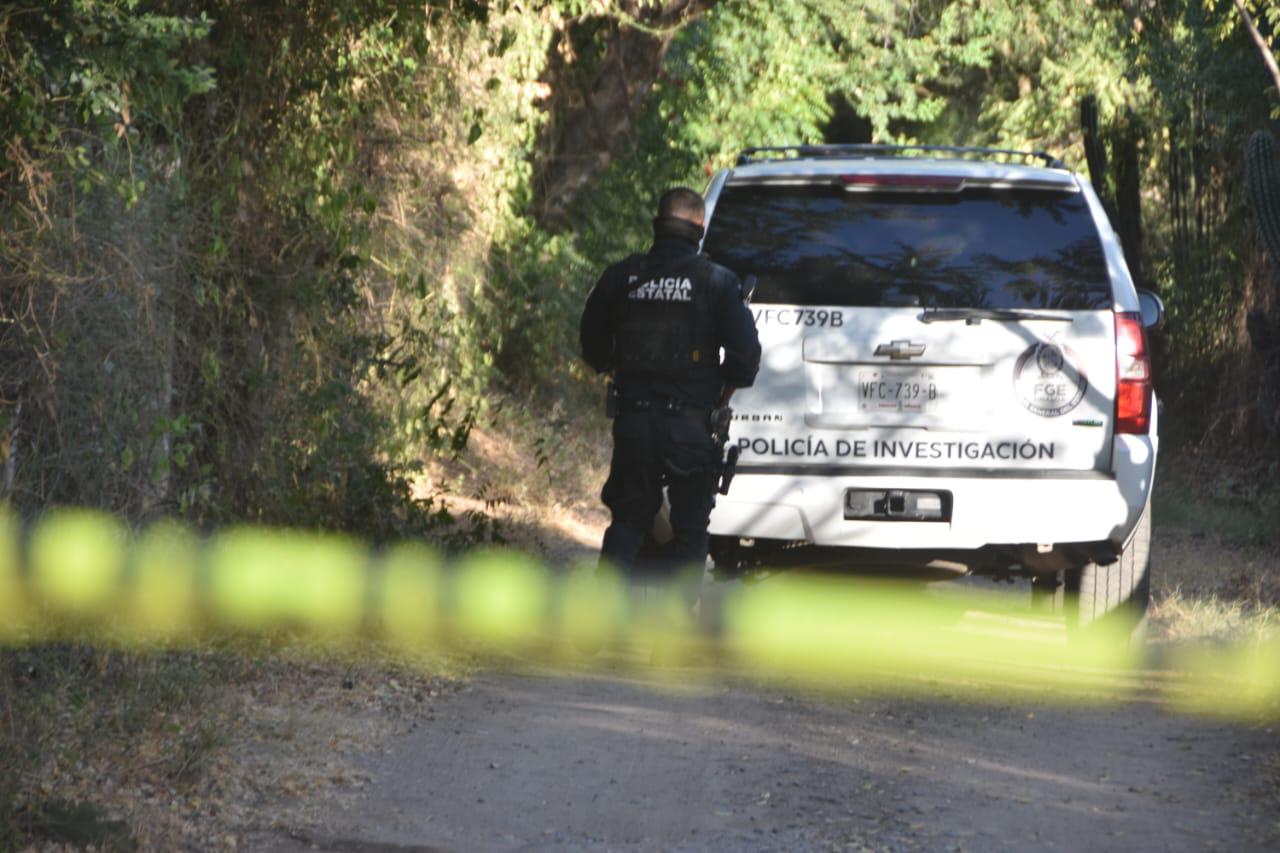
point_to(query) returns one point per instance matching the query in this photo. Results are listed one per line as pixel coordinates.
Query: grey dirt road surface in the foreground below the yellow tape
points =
(610, 761)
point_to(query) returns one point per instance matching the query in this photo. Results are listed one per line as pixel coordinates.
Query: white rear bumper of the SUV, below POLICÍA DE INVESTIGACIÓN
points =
(989, 508)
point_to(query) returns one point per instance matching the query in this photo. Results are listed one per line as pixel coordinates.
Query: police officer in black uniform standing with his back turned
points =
(659, 323)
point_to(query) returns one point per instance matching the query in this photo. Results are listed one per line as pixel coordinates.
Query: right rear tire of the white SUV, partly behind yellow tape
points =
(1114, 597)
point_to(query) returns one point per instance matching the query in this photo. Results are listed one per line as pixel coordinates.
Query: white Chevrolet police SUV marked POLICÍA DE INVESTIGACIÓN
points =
(956, 376)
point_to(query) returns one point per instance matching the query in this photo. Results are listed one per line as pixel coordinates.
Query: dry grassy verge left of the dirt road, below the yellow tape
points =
(117, 750)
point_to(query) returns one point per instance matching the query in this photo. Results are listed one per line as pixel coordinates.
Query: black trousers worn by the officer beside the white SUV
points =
(652, 450)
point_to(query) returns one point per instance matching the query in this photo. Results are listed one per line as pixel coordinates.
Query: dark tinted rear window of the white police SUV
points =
(980, 248)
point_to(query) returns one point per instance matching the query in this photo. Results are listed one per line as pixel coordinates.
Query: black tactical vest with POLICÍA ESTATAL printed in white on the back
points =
(662, 321)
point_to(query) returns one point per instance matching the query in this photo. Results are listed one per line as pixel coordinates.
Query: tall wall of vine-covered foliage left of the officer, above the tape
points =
(304, 335)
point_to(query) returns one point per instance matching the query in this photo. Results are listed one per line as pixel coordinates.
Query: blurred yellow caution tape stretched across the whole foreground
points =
(83, 573)
